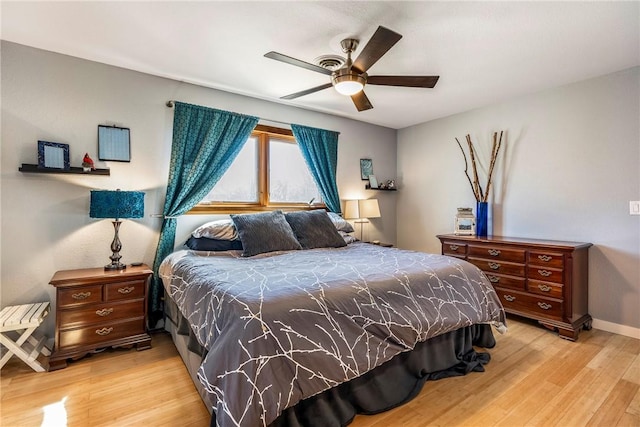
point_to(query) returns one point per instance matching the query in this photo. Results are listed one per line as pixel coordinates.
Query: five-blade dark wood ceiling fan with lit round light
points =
(351, 78)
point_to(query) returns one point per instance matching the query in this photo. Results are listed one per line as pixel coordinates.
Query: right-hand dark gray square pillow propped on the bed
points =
(314, 229)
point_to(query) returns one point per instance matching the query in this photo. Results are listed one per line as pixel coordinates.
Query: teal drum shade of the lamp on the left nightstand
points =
(116, 204)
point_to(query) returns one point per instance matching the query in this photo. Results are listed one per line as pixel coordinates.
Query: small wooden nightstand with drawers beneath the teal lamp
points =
(96, 308)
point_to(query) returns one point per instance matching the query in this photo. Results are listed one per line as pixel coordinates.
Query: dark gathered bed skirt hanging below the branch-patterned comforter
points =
(389, 385)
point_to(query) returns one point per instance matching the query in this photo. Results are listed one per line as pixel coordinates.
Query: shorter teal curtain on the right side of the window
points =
(320, 151)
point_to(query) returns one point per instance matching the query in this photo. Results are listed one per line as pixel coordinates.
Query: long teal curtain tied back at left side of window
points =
(205, 143)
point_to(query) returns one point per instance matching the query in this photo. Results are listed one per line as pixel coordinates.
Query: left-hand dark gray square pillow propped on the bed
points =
(264, 232)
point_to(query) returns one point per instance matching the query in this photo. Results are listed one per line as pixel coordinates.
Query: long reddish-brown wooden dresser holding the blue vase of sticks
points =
(544, 280)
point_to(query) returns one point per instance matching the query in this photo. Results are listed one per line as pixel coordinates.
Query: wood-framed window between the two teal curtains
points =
(269, 173)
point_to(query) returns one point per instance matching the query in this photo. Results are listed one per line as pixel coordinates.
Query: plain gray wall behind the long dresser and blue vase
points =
(570, 166)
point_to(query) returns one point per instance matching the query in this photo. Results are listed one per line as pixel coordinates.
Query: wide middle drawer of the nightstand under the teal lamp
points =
(101, 313)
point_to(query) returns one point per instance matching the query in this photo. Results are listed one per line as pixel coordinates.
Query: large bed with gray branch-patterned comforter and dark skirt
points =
(312, 335)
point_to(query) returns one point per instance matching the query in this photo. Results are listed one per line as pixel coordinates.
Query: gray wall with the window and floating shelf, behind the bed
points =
(45, 224)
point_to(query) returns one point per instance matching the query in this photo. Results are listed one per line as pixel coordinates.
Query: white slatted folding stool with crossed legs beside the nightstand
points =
(22, 320)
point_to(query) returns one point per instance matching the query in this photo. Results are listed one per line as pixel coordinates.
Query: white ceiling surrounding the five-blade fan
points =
(484, 52)
